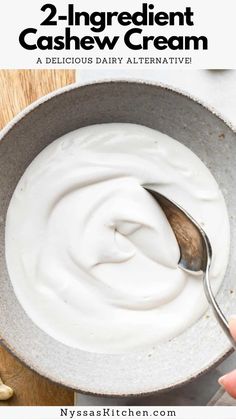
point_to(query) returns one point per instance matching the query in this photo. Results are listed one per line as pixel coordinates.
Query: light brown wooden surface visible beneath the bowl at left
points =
(17, 90)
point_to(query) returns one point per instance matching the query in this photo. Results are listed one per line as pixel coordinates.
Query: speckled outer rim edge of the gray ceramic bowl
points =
(33, 106)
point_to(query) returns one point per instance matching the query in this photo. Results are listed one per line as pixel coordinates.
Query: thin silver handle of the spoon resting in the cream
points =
(216, 309)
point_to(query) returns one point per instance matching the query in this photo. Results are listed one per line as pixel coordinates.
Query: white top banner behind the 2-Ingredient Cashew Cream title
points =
(214, 20)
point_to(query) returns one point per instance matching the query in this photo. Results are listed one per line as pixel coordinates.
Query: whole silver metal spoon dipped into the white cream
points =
(195, 250)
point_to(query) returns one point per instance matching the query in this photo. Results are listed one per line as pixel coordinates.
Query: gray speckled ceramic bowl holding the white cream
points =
(173, 113)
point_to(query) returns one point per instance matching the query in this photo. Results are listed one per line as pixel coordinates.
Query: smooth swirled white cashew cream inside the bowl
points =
(91, 255)
